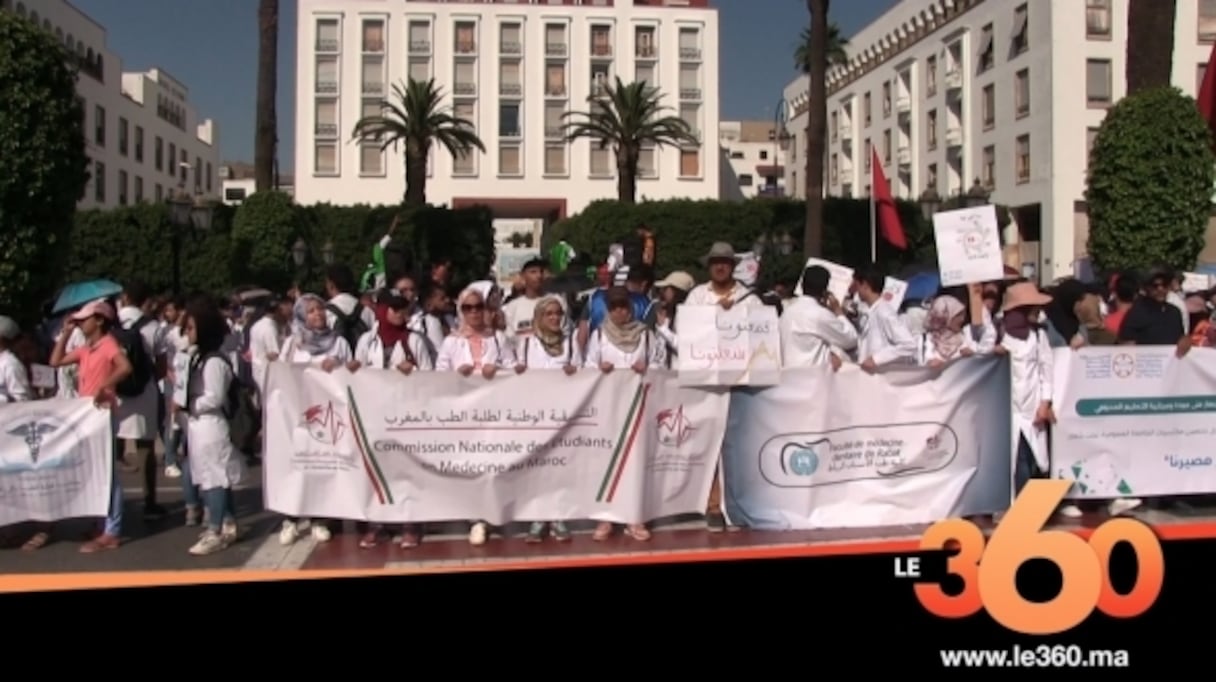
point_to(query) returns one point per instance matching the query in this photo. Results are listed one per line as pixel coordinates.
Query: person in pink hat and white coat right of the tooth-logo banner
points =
(1032, 370)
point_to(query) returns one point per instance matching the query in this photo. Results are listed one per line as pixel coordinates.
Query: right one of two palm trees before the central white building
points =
(628, 117)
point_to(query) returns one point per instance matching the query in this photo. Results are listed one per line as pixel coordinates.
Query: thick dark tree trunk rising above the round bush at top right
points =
(1150, 43)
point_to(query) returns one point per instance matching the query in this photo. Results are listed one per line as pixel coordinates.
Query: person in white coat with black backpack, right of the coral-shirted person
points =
(139, 397)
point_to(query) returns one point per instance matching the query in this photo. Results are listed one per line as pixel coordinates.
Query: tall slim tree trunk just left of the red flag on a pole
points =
(817, 128)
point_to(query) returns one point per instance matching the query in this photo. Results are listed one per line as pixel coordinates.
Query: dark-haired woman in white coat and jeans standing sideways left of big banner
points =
(216, 466)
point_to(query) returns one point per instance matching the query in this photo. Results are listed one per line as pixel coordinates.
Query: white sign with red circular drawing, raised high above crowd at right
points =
(969, 246)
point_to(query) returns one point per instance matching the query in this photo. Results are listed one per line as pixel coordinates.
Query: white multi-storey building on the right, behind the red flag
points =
(1005, 93)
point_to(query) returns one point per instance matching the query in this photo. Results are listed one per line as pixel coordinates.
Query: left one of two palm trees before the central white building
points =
(418, 119)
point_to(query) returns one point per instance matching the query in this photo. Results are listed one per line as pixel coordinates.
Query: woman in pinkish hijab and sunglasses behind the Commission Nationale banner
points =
(476, 347)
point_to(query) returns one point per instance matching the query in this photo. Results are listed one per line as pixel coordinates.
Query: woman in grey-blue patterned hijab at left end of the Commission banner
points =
(312, 342)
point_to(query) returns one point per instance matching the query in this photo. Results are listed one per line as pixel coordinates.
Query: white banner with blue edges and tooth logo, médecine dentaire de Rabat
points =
(855, 450)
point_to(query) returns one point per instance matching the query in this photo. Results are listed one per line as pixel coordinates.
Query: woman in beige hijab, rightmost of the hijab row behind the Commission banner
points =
(622, 342)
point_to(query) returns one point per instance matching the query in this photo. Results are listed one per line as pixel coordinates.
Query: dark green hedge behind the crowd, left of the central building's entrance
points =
(252, 245)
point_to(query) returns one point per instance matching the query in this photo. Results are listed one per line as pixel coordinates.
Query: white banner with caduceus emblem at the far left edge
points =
(57, 460)
